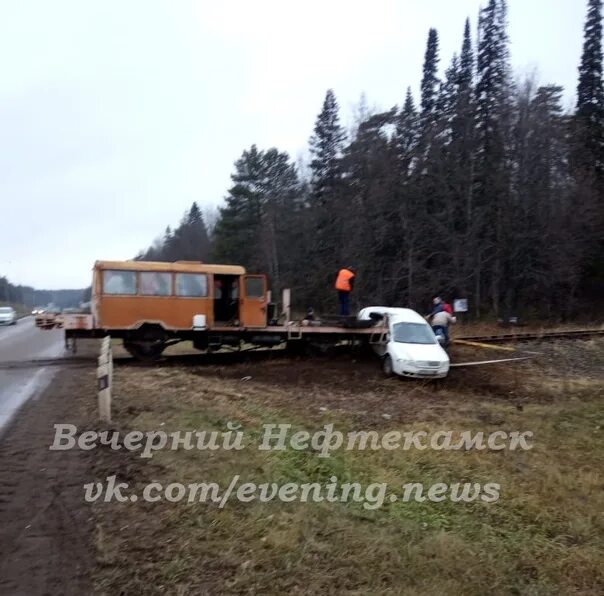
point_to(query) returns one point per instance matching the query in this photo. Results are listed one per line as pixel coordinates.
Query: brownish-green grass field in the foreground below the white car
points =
(545, 534)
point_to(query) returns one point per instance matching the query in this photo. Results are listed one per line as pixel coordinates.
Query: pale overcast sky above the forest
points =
(116, 115)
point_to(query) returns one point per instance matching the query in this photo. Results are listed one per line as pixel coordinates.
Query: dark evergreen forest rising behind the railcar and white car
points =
(483, 187)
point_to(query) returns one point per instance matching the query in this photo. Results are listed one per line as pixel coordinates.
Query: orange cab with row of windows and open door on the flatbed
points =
(129, 294)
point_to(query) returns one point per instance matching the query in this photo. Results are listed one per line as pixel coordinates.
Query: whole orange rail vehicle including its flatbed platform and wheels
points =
(152, 305)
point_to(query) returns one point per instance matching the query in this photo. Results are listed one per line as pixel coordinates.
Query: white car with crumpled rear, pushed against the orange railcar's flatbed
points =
(409, 347)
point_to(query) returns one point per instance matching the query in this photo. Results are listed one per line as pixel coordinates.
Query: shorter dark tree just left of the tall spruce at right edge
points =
(544, 215)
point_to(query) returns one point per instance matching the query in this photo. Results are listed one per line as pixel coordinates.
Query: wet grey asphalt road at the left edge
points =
(20, 343)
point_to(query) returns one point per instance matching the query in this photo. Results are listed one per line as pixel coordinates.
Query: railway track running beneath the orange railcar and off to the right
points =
(225, 358)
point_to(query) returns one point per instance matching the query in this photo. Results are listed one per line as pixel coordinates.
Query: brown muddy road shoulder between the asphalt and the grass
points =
(46, 529)
